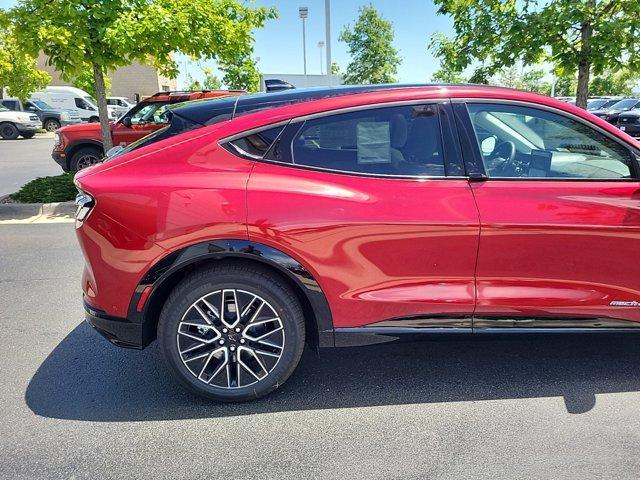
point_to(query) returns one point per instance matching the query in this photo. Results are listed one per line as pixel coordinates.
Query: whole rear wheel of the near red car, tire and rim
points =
(270, 306)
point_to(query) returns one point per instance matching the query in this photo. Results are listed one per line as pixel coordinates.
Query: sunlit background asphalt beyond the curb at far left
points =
(24, 159)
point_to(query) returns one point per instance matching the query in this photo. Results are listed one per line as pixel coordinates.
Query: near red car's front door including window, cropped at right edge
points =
(560, 219)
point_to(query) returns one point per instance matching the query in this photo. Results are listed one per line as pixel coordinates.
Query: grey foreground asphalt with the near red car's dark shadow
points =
(74, 406)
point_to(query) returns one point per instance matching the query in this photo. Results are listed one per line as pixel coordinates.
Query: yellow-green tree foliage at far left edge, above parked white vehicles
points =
(18, 71)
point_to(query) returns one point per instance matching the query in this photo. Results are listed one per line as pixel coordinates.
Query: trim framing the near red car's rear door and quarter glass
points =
(298, 123)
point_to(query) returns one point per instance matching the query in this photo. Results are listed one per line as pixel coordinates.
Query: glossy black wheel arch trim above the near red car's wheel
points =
(180, 261)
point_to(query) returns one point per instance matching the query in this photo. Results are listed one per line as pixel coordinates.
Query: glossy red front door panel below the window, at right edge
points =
(563, 248)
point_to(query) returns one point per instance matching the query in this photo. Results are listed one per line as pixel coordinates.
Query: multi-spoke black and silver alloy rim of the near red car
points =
(230, 338)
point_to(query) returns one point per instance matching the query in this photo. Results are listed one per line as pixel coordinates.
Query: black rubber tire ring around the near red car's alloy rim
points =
(282, 300)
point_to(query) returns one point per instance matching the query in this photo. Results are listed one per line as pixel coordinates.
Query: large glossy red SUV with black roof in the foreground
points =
(353, 216)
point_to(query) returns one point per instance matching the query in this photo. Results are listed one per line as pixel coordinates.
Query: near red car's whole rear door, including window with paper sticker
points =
(375, 204)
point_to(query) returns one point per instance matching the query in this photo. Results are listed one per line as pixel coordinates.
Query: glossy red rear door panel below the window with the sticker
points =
(416, 255)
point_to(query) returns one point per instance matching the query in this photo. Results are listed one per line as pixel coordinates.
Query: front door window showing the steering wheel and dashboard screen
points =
(518, 142)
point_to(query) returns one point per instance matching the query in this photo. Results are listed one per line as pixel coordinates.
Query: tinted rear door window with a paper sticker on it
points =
(395, 141)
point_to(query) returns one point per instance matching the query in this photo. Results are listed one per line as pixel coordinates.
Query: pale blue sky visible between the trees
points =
(279, 43)
